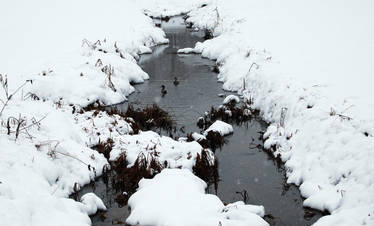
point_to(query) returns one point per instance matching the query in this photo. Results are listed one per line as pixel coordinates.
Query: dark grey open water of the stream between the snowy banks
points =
(242, 166)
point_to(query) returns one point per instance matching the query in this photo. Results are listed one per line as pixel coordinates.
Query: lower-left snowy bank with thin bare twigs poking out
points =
(43, 165)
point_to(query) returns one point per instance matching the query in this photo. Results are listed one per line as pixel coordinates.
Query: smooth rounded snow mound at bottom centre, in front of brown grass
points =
(177, 197)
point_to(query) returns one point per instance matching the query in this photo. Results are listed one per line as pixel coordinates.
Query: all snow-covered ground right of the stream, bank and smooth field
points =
(307, 66)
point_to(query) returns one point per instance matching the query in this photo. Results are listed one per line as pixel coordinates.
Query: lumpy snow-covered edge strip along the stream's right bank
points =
(317, 141)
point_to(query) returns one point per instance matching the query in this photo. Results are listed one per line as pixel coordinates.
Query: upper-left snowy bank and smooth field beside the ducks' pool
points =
(91, 53)
